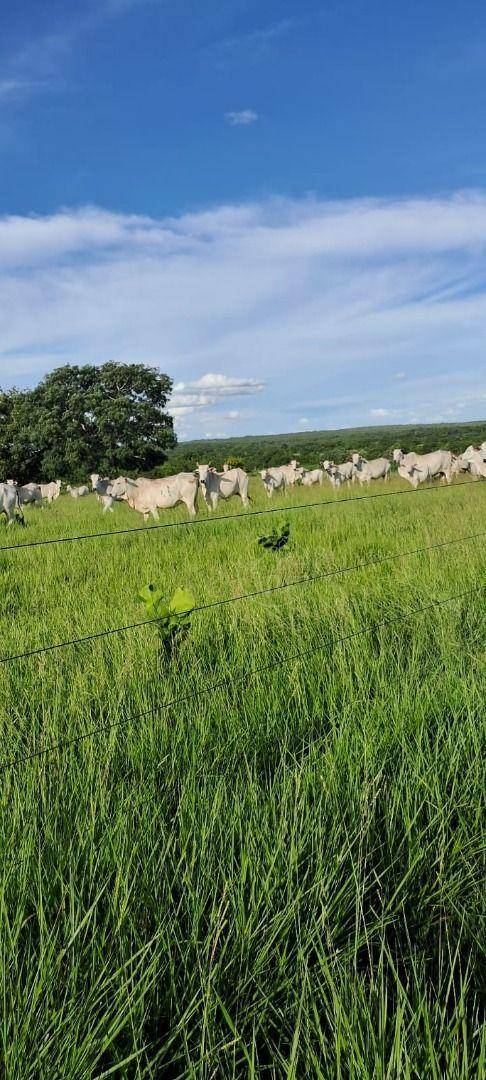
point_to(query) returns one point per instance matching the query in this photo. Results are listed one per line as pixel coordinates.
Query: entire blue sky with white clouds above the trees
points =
(283, 206)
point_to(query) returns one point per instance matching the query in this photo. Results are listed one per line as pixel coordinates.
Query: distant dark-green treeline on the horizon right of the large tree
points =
(309, 448)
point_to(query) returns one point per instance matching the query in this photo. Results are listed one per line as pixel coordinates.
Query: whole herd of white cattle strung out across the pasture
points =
(150, 496)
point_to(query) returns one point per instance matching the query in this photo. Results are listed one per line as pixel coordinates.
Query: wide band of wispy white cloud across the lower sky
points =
(312, 308)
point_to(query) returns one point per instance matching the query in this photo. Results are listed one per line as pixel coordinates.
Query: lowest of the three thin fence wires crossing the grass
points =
(232, 681)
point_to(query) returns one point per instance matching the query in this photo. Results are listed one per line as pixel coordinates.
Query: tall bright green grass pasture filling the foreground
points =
(283, 877)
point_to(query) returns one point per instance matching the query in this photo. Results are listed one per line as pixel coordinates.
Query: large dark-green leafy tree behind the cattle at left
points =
(82, 420)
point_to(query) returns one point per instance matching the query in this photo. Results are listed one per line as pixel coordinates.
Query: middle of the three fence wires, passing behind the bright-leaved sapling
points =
(225, 602)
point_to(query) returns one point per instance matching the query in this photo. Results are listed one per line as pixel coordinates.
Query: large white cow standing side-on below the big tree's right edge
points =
(148, 496)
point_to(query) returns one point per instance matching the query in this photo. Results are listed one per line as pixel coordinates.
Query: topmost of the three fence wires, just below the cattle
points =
(231, 518)
